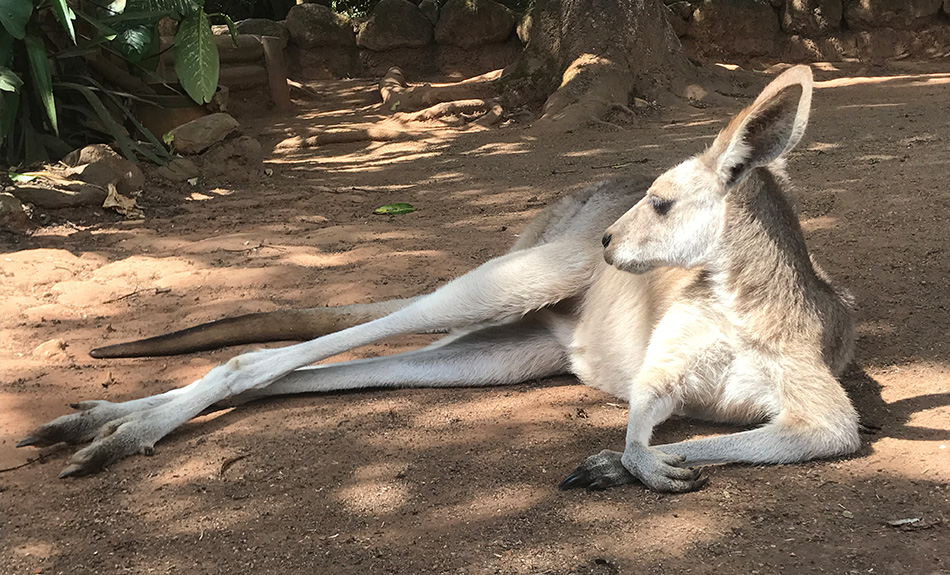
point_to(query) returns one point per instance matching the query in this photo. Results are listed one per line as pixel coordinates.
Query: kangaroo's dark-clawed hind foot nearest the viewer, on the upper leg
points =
(116, 440)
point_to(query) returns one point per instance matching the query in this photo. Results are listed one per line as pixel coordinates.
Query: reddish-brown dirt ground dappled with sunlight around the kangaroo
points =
(465, 481)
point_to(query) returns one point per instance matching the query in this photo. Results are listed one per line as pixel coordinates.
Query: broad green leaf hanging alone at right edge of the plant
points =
(196, 57)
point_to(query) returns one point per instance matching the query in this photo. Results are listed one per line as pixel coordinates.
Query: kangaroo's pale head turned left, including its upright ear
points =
(679, 221)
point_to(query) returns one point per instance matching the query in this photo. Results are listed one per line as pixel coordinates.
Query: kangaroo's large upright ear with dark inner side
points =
(764, 131)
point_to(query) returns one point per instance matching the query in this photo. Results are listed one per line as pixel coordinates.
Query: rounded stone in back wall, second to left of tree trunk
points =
(394, 24)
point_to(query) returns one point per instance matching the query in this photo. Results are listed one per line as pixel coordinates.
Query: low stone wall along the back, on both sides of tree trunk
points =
(465, 37)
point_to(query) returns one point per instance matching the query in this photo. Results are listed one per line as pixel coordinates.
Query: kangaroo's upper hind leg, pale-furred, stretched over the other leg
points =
(507, 287)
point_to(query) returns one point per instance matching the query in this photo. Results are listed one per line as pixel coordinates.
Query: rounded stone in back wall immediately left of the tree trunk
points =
(473, 23)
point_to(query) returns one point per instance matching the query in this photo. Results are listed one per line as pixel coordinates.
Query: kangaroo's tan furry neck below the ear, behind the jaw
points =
(761, 271)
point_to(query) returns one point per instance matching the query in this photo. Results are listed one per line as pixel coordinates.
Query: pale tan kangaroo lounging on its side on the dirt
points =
(699, 299)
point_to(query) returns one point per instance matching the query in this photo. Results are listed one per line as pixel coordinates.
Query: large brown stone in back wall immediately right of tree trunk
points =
(751, 25)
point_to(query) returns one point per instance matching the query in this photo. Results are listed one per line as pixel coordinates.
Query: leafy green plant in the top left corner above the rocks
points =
(91, 62)
